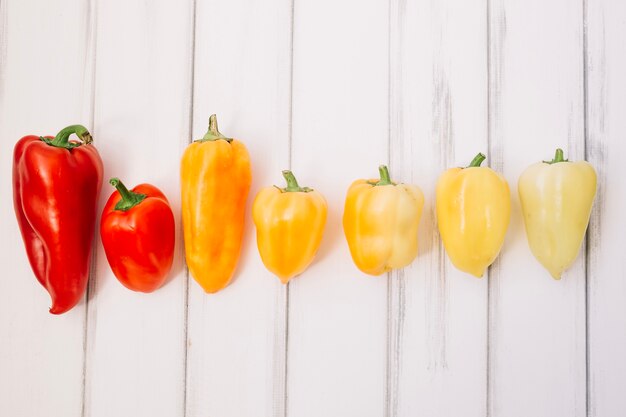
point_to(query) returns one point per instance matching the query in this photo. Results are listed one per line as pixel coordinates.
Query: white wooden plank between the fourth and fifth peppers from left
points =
(338, 315)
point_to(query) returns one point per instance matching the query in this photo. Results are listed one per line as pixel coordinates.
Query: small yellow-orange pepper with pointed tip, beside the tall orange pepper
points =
(290, 223)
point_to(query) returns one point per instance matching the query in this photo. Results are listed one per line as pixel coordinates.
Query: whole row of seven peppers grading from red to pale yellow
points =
(57, 182)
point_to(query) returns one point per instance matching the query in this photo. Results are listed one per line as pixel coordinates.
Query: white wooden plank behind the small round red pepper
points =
(136, 342)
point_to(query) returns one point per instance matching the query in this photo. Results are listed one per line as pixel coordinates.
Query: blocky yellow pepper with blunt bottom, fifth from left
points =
(380, 221)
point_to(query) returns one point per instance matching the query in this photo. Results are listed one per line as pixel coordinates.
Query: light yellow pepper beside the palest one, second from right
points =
(473, 213)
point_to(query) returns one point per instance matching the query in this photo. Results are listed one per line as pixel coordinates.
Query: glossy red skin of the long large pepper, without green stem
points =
(55, 194)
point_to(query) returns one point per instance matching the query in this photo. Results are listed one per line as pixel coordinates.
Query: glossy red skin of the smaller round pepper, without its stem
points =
(139, 242)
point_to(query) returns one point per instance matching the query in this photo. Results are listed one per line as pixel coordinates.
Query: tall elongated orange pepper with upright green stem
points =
(215, 181)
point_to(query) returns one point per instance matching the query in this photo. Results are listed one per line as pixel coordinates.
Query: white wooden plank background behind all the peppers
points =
(330, 88)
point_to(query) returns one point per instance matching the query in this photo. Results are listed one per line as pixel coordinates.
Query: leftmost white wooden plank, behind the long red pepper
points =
(45, 85)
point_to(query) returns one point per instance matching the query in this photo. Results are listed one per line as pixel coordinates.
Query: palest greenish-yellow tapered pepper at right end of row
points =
(556, 198)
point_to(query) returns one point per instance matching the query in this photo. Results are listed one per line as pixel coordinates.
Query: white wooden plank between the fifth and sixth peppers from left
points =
(438, 120)
